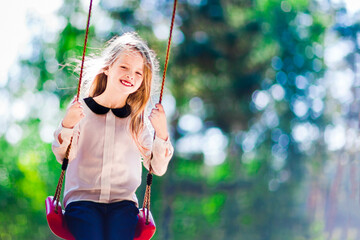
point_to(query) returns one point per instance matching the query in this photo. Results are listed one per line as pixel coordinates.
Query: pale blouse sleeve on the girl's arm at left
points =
(59, 149)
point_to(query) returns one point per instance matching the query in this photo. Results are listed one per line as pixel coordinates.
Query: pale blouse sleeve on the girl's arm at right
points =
(162, 153)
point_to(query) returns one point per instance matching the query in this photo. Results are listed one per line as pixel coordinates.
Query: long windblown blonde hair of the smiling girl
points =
(95, 80)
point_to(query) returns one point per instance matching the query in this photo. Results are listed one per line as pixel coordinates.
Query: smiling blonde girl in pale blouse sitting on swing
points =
(109, 139)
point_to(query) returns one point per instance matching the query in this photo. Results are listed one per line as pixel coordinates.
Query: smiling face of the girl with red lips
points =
(125, 75)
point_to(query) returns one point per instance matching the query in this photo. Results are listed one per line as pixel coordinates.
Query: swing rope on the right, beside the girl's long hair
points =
(147, 196)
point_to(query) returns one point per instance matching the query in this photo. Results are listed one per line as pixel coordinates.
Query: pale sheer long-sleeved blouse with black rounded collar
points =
(104, 161)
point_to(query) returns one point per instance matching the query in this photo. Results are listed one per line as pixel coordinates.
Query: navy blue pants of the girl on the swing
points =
(90, 220)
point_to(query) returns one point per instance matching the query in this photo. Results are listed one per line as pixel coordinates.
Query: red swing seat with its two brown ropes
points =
(145, 227)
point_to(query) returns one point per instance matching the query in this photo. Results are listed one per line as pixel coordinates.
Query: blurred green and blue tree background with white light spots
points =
(262, 97)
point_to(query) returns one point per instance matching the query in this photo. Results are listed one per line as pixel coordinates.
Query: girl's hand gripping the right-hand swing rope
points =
(158, 121)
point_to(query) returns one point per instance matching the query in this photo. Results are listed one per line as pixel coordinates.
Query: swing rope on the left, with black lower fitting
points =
(66, 158)
